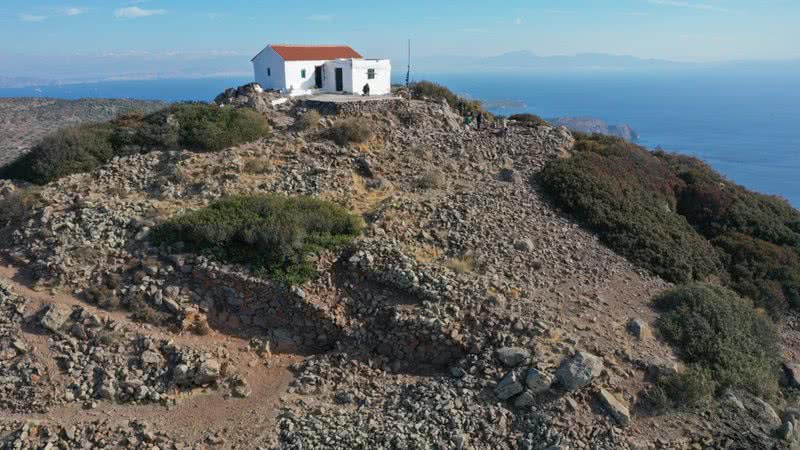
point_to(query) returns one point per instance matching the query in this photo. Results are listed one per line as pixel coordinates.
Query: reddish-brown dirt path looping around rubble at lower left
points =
(239, 422)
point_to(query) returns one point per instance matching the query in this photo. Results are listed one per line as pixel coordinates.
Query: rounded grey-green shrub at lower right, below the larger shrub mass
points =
(714, 329)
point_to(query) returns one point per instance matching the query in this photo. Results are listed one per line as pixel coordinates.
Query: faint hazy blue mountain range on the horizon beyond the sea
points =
(25, 70)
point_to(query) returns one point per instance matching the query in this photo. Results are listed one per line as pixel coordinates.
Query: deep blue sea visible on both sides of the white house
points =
(745, 124)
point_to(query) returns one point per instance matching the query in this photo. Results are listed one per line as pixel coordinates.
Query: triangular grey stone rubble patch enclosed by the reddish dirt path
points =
(104, 361)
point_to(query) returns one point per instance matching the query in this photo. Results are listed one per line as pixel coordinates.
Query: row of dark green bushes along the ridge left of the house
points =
(193, 126)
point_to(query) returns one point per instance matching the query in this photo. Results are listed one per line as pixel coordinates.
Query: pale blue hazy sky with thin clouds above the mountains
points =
(685, 30)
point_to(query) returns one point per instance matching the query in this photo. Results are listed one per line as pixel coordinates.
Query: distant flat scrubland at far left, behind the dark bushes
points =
(24, 121)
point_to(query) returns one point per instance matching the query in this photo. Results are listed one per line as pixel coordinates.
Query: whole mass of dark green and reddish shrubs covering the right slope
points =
(677, 217)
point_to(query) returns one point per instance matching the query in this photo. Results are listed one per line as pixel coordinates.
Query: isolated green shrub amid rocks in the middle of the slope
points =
(272, 234)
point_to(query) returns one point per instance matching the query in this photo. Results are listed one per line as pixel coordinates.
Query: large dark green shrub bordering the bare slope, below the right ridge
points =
(624, 195)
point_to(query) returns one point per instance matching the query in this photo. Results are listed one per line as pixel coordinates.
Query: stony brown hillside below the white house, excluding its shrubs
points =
(470, 315)
